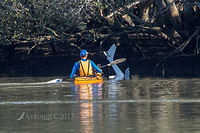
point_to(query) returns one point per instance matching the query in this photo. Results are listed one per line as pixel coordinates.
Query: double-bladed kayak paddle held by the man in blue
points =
(110, 64)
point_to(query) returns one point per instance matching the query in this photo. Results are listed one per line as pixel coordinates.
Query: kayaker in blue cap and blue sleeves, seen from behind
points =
(85, 66)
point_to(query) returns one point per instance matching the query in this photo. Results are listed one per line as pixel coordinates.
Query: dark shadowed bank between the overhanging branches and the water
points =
(142, 56)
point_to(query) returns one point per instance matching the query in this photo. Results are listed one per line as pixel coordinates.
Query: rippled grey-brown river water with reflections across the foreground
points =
(143, 105)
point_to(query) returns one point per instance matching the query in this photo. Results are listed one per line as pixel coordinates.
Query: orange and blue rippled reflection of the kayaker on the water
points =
(88, 110)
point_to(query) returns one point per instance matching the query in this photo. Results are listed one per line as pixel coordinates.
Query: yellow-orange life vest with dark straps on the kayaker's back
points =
(85, 68)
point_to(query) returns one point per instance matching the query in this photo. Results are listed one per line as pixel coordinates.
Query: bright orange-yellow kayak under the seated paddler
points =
(82, 80)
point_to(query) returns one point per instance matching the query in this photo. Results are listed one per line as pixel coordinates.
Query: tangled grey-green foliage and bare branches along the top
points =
(76, 22)
